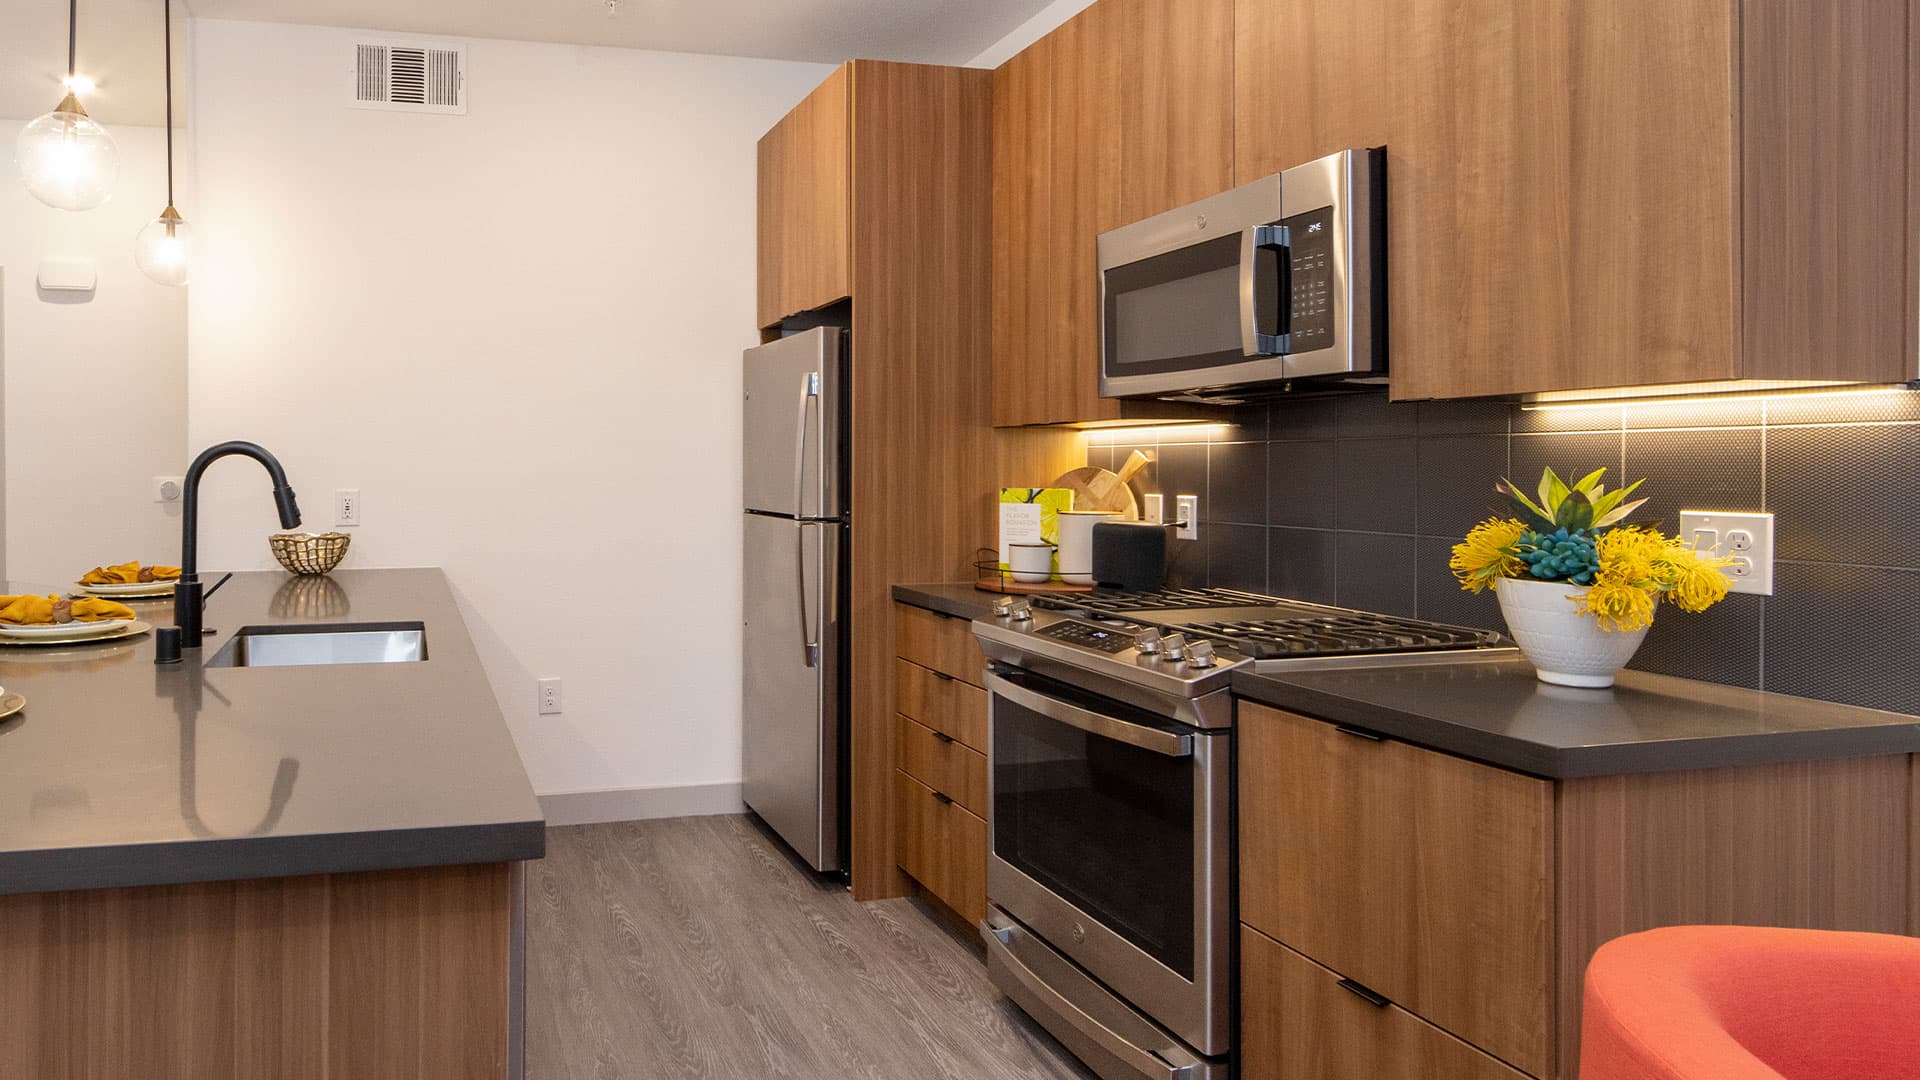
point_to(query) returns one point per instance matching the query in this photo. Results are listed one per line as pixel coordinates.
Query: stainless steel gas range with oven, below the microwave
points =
(1111, 789)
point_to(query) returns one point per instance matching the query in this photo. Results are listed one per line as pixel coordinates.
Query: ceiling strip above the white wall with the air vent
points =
(928, 32)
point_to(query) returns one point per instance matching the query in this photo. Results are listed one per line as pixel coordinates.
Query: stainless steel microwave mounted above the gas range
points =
(1253, 289)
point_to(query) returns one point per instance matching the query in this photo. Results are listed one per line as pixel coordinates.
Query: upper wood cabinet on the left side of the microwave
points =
(1122, 112)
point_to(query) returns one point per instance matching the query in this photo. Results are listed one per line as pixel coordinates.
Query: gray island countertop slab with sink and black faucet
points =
(126, 773)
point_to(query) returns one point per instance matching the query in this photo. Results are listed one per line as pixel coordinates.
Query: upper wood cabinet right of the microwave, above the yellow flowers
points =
(1612, 195)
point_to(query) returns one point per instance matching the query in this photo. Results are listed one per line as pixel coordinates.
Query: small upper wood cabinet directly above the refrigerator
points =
(804, 207)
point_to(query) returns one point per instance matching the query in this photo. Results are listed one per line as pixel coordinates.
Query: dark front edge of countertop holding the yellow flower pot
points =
(1577, 764)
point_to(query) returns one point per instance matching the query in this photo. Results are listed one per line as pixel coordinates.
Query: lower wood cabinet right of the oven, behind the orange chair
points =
(1414, 914)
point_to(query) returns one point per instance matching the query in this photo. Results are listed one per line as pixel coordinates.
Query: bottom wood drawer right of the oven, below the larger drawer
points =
(1297, 1019)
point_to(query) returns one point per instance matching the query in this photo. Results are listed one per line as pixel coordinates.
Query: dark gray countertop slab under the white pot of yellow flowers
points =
(1646, 724)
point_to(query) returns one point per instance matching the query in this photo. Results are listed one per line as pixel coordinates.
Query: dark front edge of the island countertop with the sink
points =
(247, 858)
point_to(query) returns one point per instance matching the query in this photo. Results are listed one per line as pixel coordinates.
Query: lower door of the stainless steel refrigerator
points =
(792, 685)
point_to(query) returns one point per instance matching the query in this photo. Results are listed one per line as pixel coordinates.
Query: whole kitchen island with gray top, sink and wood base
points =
(276, 871)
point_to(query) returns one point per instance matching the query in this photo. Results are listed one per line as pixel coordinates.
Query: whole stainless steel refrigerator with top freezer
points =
(796, 649)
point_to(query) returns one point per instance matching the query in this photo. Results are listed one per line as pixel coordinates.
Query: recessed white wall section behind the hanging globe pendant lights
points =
(95, 383)
